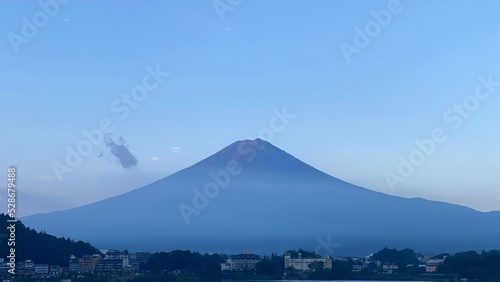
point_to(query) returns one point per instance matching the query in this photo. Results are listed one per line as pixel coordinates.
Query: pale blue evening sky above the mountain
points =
(226, 77)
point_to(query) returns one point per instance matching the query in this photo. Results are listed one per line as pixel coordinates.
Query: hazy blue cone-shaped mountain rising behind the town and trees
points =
(253, 195)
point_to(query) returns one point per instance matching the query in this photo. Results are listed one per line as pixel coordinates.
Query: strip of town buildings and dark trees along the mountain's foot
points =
(387, 264)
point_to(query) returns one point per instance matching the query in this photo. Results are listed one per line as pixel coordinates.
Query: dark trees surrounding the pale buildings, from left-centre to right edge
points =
(193, 265)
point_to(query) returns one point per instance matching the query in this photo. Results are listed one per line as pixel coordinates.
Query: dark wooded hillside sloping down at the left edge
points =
(39, 246)
